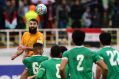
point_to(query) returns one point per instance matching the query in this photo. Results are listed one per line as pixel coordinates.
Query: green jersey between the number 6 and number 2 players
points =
(50, 69)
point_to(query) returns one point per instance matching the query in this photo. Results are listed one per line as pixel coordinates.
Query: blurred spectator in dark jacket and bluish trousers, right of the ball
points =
(62, 14)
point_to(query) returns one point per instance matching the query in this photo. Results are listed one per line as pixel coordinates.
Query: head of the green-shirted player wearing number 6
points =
(38, 48)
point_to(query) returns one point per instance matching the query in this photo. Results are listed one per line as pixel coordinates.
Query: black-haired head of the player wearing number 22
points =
(105, 38)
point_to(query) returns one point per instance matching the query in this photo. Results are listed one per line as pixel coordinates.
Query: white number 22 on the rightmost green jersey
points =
(112, 55)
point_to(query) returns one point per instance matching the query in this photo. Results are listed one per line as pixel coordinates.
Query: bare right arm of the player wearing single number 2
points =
(103, 66)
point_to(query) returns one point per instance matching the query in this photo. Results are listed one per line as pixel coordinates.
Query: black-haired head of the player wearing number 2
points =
(78, 37)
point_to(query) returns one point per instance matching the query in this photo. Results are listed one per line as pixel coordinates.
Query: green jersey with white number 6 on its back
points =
(33, 63)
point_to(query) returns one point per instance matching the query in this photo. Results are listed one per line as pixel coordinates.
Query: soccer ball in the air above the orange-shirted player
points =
(41, 9)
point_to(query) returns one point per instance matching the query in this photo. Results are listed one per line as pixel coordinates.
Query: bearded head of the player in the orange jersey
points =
(33, 25)
